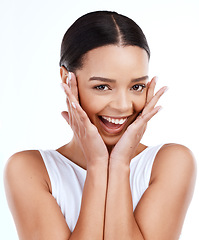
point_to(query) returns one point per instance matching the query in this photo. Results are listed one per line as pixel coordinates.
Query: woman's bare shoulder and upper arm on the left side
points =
(35, 211)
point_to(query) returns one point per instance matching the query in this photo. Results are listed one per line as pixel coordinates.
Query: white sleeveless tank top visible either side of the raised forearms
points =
(67, 180)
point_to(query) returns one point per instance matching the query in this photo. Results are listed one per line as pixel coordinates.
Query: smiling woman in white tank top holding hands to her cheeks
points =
(103, 184)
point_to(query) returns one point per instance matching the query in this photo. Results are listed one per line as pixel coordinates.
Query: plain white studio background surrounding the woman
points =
(31, 99)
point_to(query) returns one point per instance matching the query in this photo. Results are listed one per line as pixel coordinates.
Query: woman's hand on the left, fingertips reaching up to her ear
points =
(86, 133)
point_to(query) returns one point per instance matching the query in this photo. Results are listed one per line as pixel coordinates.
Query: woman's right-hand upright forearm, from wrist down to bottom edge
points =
(119, 218)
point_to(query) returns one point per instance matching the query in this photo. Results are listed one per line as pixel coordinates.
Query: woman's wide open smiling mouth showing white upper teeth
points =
(112, 125)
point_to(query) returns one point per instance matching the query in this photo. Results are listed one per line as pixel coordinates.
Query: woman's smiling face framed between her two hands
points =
(112, 88)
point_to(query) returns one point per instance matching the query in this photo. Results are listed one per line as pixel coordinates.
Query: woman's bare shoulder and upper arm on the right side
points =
(161, 211)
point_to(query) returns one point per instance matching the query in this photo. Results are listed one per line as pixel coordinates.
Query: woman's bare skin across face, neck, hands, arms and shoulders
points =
(161, 210)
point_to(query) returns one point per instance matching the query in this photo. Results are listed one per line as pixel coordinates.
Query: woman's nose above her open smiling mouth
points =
(122, 103)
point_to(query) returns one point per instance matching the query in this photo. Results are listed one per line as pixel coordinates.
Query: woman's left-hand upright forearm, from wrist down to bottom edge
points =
(90, 224)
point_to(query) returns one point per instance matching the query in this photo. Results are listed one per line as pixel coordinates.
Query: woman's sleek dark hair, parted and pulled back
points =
(97, 29)
